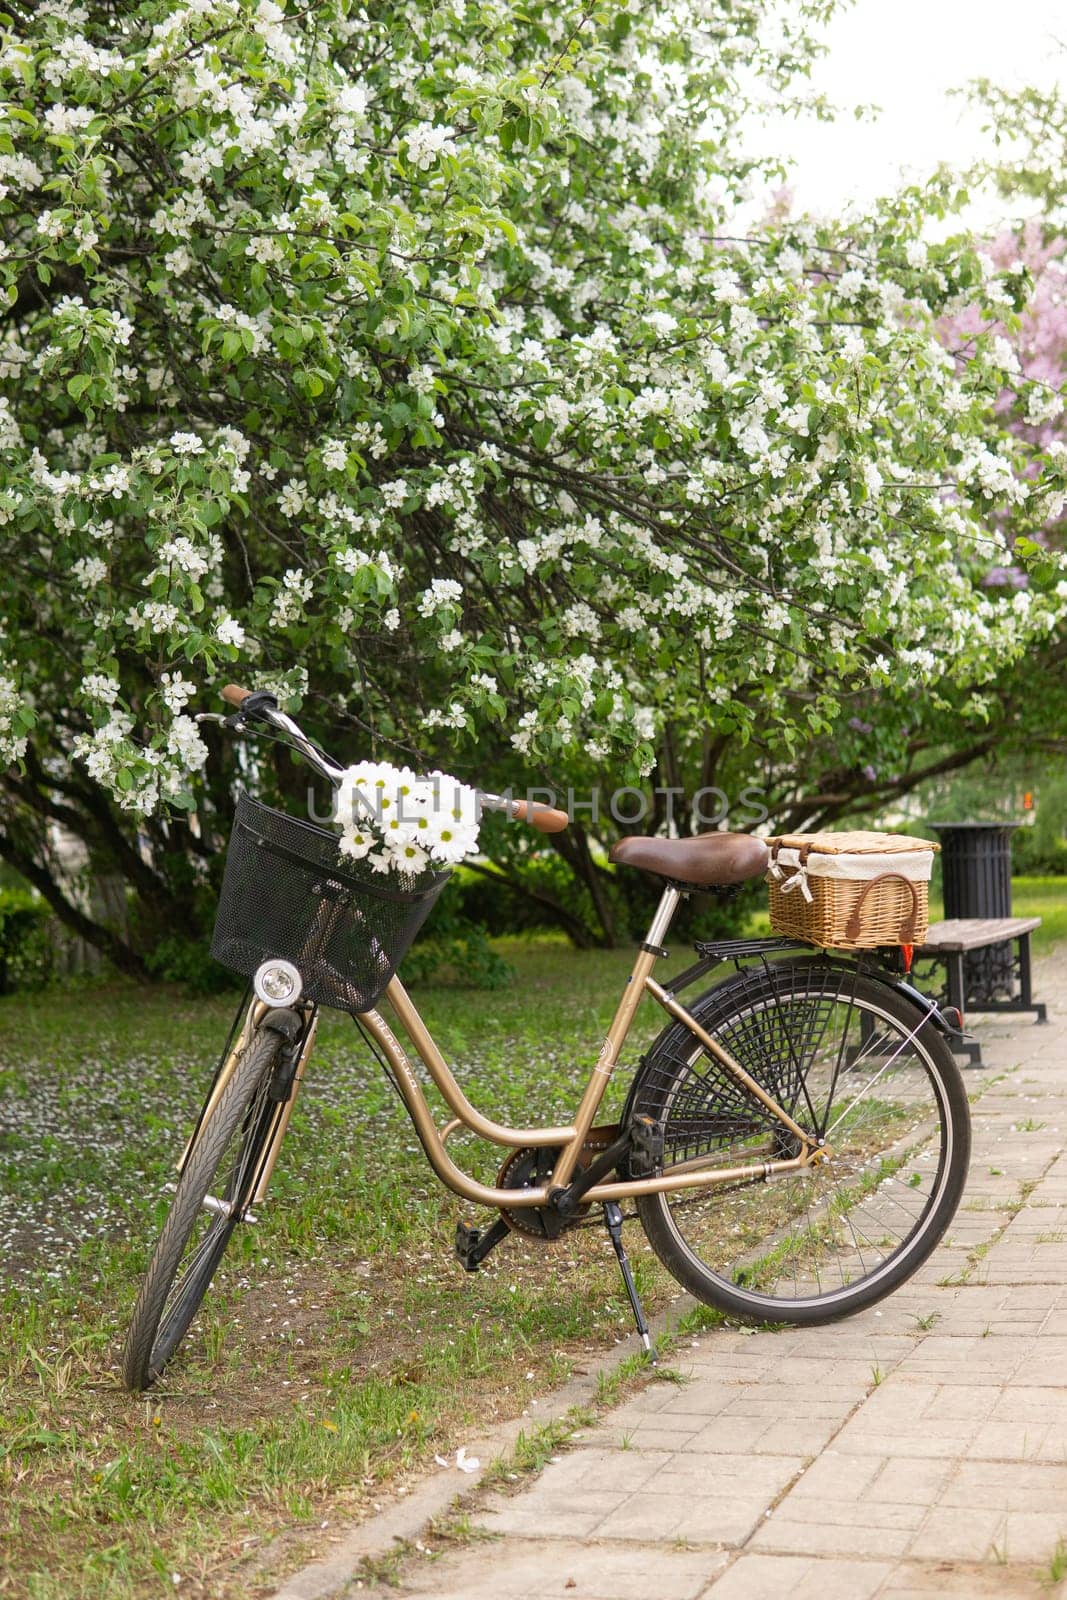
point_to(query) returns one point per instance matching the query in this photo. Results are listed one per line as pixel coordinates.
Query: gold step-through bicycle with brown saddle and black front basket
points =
(796, 1142)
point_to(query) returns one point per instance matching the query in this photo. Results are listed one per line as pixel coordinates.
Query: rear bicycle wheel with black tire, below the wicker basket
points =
(828, 1241)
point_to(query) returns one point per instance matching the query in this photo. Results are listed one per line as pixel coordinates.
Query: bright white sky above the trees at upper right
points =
(905, 57)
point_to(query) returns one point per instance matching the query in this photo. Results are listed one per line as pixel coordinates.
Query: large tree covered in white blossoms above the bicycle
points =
(410, 362)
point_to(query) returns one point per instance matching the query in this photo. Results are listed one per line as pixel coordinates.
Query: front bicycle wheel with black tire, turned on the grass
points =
(225, 1162)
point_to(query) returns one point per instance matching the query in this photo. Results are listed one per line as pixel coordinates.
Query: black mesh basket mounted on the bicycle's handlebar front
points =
(290, 894)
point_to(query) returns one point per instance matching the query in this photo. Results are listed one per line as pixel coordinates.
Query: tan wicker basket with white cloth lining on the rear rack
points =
(850, 892)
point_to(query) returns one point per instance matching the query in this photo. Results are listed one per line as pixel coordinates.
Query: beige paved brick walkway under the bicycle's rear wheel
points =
(916, 1450)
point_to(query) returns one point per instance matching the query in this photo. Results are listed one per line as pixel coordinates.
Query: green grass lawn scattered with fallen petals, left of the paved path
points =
(342, 1346)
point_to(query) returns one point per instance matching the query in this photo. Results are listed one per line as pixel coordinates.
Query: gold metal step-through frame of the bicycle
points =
(575, 1137)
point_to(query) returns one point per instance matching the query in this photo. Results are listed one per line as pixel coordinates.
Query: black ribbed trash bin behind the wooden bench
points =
(977, 882)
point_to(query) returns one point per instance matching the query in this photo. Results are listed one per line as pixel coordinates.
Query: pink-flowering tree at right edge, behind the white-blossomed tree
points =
(882, 748)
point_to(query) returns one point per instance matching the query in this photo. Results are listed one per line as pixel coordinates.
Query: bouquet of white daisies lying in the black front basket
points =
(402, 823)
